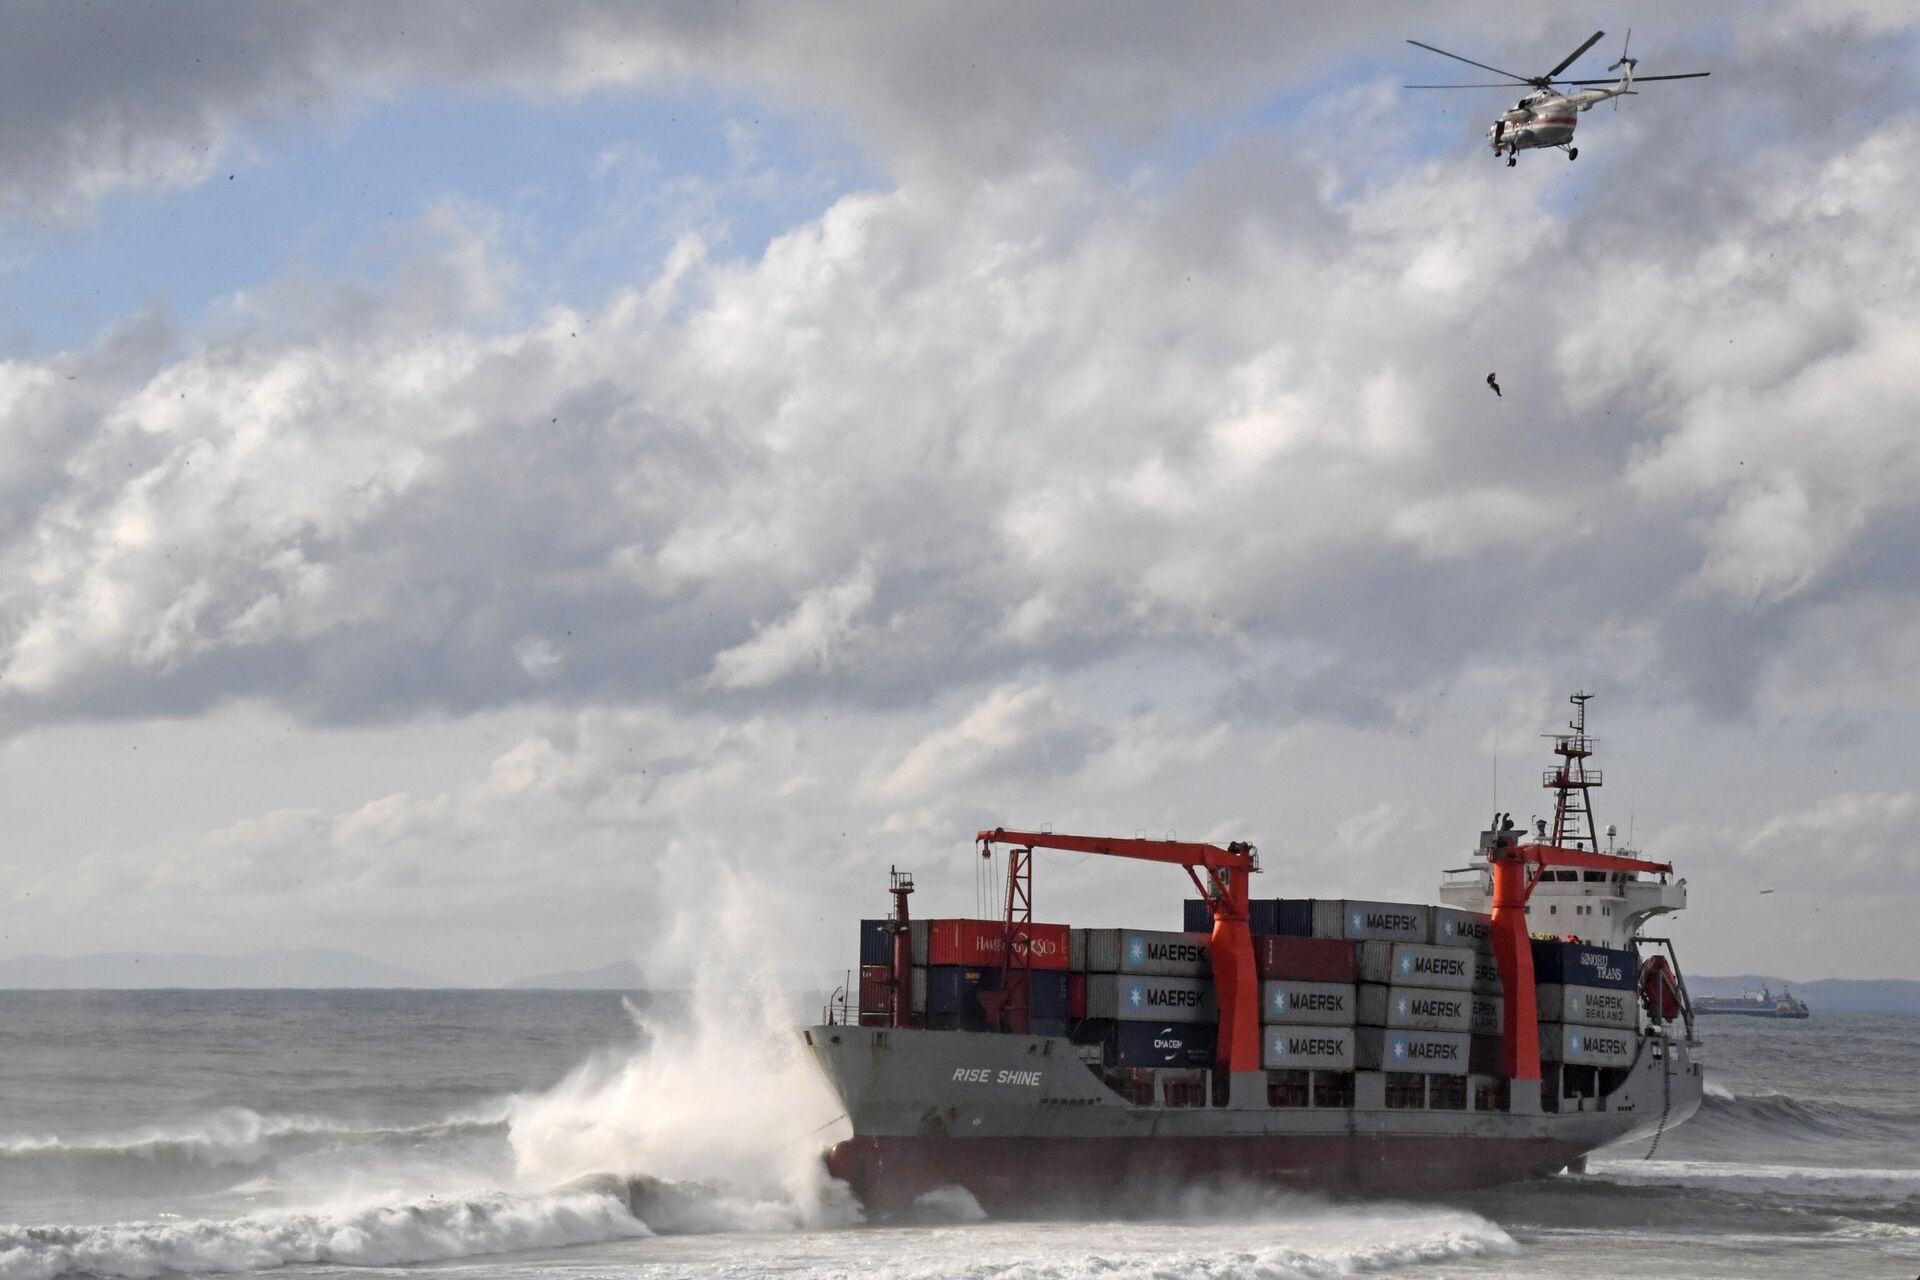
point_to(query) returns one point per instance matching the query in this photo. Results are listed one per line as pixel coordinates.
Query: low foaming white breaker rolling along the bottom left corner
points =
(377, 1235)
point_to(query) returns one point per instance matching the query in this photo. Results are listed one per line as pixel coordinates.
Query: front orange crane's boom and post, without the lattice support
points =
(1224, 889)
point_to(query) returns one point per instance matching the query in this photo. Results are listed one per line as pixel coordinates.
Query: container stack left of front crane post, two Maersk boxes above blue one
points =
(1149, 997)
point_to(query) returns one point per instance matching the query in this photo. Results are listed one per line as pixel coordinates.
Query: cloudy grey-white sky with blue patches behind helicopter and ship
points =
(487, 483)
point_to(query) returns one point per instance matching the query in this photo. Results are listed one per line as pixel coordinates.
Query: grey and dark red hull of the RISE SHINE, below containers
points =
(1024, 1126)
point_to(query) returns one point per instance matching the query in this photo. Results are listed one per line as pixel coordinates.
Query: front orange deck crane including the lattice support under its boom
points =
(1224, 888)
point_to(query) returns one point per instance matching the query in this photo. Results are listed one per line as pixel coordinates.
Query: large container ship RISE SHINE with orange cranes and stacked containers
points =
(1320, 1045)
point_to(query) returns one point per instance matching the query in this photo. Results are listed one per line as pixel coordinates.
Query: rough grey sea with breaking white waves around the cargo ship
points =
(491, 1135)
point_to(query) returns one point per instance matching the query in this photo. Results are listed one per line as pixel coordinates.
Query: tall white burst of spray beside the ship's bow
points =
(719, 1101)
